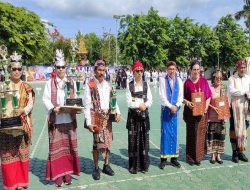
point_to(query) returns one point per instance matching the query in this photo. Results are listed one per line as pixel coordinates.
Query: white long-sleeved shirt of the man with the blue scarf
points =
(163, 92)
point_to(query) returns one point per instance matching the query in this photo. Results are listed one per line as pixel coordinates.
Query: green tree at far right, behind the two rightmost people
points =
(234, 43)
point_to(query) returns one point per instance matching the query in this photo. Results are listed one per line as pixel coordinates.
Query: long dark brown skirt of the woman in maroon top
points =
(195, 136)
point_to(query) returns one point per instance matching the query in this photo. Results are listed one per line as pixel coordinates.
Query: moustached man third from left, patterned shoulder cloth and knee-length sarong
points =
(97, 103)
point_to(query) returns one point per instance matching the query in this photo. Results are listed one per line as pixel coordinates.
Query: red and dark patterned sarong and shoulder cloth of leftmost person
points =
(14, 150)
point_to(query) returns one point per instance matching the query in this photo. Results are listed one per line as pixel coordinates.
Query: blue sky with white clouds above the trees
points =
(71, 16)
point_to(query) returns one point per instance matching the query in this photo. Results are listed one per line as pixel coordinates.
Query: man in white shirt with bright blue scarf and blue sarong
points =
(171, 95)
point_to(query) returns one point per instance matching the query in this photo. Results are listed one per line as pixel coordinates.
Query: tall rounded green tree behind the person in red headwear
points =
(144, 37)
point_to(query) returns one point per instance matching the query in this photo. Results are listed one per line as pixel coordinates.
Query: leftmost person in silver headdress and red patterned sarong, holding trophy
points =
(15, 143)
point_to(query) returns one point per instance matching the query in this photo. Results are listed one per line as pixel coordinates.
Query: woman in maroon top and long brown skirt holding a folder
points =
(195, 125)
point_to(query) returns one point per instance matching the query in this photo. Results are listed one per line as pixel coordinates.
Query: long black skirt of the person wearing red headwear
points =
(138, 142)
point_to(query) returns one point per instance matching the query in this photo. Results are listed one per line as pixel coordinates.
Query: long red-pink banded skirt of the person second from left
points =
(63, 156)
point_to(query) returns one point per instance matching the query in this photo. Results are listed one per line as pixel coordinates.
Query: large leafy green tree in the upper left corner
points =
(22, 31)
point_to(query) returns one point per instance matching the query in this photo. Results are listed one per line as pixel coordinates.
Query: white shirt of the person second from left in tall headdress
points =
(61, 97)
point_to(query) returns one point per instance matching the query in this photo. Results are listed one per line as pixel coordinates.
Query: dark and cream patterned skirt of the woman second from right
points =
(216, 137)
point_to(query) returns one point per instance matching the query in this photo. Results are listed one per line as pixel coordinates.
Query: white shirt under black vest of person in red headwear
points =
(135, 102)
